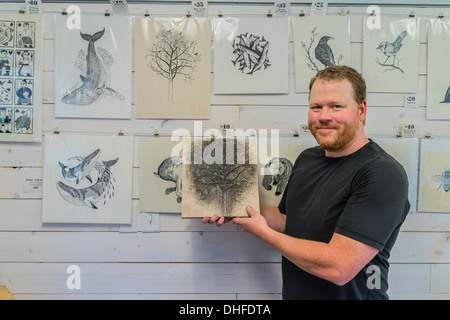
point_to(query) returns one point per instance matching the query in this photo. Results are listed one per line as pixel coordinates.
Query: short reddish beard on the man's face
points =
(345, 134)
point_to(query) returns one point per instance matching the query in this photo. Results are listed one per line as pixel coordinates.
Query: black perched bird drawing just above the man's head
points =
(322, 52)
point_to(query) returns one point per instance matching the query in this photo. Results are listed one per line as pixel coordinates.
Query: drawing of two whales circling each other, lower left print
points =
(91, 193)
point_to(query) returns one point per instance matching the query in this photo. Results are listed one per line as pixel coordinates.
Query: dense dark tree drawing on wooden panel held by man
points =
(220, 184)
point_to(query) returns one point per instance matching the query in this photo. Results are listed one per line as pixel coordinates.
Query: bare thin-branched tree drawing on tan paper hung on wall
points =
(173, 55)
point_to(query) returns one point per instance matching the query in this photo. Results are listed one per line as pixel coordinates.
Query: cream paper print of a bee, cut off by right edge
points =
(434, 187)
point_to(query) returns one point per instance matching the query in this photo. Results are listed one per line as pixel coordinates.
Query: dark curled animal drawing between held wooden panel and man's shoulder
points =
(276, 173)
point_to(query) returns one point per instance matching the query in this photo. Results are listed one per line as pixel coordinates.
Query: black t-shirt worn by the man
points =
(363, 196)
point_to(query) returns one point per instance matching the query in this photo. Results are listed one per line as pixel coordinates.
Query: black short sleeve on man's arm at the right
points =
(378, 204)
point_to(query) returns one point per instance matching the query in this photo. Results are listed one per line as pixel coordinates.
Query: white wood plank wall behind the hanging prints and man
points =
(188, 260)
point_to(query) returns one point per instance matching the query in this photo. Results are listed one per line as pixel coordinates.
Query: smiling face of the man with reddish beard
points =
(334, 118)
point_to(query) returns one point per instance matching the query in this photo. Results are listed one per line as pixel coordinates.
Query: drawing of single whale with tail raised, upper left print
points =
(95, 79)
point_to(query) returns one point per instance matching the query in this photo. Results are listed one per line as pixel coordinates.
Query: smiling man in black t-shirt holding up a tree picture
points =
(344, 204)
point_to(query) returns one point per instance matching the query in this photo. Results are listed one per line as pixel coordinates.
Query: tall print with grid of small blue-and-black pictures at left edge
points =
(21, 56)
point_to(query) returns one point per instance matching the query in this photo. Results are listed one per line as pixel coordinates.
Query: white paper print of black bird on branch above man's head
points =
(319, 42)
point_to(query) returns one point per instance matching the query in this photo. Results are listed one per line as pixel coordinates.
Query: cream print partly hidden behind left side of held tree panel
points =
(160, 175)
